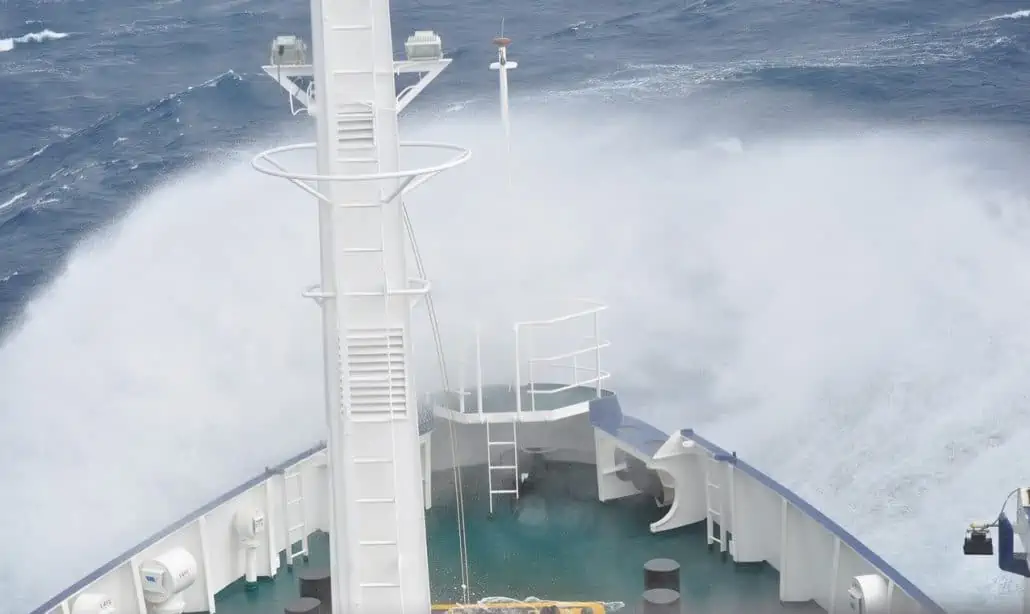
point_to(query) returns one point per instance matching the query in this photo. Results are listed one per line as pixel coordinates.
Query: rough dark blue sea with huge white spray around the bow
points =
(886, 138)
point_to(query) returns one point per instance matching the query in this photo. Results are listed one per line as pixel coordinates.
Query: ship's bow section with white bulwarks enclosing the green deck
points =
(600, 495)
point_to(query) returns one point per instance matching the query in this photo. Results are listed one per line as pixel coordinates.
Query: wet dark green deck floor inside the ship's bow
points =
(560, 543)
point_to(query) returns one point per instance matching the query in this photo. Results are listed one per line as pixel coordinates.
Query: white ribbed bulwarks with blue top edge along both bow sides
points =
(816, 560)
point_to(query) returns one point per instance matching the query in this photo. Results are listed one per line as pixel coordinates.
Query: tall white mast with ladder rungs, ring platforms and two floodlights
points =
(379, 557)
